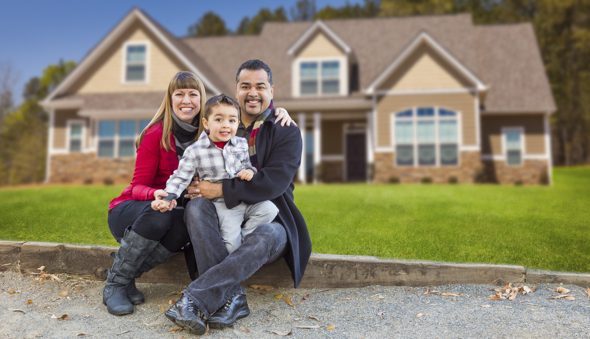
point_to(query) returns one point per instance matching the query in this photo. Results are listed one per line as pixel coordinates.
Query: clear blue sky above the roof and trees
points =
(37, 33)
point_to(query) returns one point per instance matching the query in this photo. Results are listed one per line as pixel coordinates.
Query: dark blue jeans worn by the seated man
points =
(220, 274)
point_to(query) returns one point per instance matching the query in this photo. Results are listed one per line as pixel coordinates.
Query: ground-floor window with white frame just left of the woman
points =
(116, 138)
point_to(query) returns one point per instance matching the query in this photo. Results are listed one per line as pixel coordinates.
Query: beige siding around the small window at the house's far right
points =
(491, 139)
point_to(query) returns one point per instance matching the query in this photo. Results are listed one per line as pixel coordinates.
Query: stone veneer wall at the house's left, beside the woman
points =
(88, 168)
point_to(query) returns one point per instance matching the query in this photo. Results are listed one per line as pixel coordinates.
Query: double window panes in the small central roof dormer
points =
(319, 77)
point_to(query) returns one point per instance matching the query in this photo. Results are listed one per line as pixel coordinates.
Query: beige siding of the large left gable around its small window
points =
(108, 73)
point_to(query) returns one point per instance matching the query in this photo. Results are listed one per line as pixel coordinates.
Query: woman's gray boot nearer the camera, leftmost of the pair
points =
(126, 264)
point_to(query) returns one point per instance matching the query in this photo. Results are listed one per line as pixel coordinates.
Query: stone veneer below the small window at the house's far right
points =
(531, 172)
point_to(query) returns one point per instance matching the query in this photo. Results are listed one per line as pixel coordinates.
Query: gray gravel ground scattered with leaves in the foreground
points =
(33, 306)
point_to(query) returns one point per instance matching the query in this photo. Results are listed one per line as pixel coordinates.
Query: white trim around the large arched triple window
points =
(437, 143)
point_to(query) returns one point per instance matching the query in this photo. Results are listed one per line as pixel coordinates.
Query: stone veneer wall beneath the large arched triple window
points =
(468, 170)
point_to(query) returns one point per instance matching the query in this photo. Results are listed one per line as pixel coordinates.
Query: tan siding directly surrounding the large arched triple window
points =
(464, 103)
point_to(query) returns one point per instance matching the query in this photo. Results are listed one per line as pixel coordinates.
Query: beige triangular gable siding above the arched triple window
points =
(425, 69)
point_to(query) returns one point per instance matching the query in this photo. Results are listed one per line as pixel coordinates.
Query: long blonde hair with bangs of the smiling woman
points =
(181, 80)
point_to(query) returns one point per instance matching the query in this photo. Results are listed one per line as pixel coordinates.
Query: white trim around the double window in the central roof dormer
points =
(343, 76)
